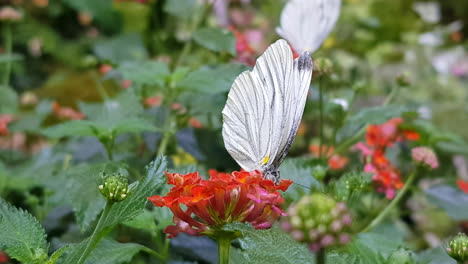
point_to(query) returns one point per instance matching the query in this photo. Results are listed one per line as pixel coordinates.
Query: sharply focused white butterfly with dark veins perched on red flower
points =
(264, 109)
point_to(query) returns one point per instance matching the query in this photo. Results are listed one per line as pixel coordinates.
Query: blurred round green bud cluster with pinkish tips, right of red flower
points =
(319, 221)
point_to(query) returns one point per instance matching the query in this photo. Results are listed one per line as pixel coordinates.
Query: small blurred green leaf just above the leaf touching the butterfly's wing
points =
(216, 39)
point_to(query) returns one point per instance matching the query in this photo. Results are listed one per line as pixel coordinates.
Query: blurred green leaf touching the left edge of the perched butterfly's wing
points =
(212, 80)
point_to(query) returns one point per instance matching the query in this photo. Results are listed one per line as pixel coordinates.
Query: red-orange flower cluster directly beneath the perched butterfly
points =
(224, 198)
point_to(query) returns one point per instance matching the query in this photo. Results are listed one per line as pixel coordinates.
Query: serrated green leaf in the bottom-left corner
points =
(21, 234)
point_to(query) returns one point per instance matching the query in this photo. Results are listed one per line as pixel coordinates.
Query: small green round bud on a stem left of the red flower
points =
(114, 187)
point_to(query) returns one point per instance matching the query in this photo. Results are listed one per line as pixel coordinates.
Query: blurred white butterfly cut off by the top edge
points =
(307, 23)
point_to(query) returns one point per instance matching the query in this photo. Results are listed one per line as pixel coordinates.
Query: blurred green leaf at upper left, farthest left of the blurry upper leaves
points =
(126, 47)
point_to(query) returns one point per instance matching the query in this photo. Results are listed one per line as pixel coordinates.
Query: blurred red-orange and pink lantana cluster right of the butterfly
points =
(385, 175)
